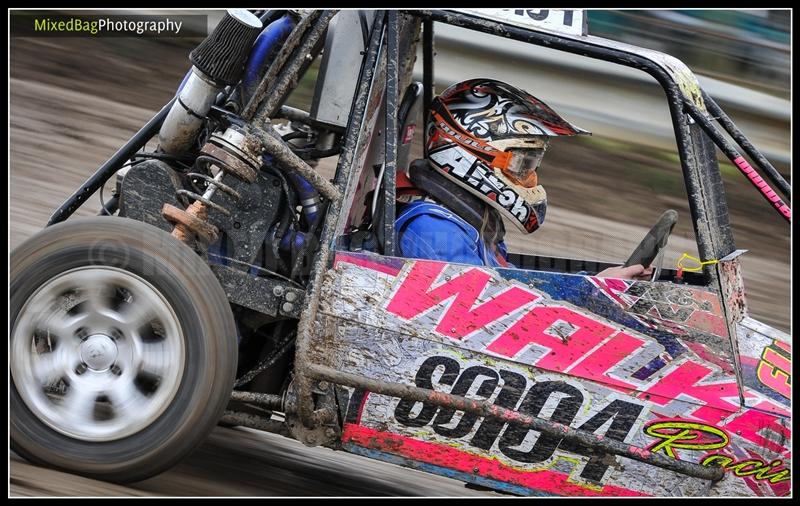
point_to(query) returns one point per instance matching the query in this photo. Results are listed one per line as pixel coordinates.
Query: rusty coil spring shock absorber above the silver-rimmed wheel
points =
(236, 152)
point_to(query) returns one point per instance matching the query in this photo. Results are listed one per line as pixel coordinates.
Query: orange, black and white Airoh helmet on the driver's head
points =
(489, 137)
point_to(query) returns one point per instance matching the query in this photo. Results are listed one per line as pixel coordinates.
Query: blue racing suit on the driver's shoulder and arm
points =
(429, 230)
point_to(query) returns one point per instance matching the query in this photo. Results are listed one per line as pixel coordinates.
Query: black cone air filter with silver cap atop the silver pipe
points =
(224, 52)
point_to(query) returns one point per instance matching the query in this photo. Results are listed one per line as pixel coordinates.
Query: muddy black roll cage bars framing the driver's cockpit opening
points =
(691, 109)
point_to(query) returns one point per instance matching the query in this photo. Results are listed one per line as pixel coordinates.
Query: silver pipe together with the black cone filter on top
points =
(217, 62)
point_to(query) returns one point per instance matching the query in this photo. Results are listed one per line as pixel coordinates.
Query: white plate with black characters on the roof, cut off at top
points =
(568, 22)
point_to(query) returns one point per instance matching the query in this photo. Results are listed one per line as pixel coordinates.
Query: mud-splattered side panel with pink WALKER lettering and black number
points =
(636, 362)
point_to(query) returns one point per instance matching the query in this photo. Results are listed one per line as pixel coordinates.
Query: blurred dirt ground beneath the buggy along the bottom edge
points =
(243, 462)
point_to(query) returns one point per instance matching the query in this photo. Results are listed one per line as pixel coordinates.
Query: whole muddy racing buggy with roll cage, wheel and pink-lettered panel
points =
(228, 280)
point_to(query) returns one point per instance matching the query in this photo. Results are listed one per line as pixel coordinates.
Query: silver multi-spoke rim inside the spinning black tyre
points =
(97, 353)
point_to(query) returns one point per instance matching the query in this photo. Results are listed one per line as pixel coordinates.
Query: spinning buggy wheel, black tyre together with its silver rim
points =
(122, 349)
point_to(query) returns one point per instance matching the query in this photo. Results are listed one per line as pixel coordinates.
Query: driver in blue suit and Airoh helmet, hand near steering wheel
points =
(485, 141)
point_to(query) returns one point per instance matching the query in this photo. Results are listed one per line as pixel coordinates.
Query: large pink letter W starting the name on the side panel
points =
(415, 296)
